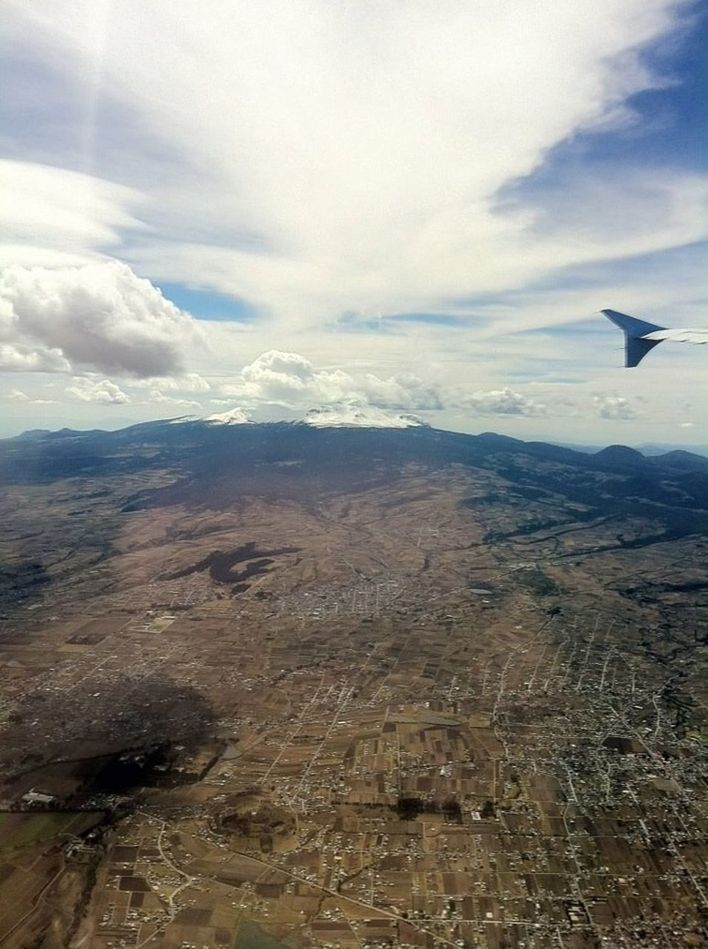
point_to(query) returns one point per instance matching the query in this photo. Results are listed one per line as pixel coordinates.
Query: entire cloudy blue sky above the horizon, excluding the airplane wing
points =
(402, 206)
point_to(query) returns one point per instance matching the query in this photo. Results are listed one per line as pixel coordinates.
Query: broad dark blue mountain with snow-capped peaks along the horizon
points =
(225, 459)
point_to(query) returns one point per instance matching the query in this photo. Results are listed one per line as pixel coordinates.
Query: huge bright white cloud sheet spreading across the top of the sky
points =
(324, 157)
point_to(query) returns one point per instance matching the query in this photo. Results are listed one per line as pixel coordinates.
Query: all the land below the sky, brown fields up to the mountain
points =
(275, 686)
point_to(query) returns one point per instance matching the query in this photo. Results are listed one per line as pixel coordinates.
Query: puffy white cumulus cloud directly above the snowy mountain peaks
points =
(291, 380)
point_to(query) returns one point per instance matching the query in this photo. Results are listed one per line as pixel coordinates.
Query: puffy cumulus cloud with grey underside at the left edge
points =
(97, 316)
